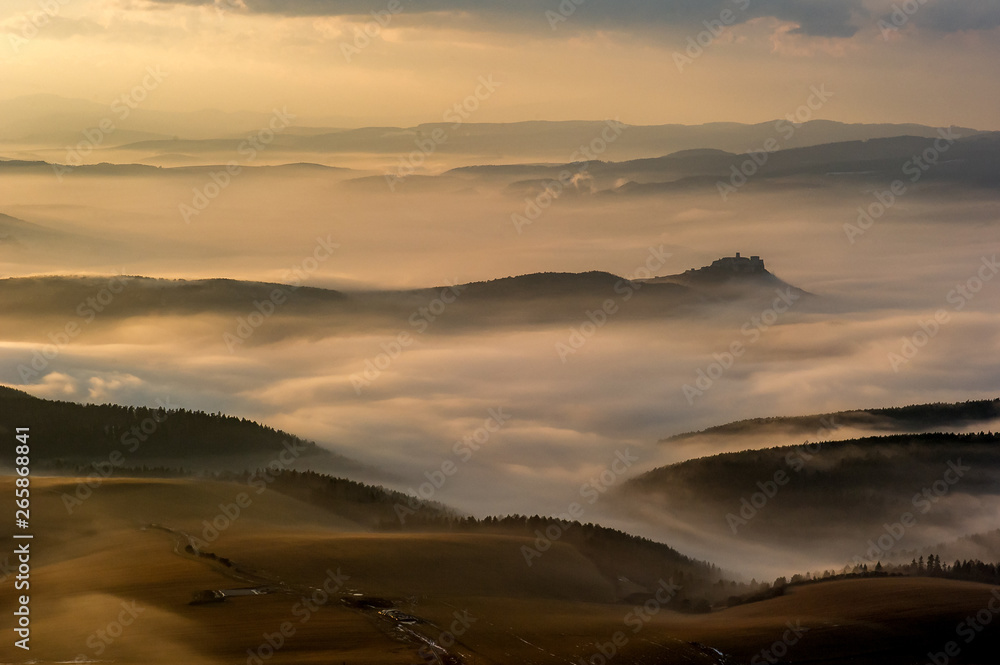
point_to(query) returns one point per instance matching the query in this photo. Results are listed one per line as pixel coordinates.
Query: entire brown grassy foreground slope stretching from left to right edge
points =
(87, 563)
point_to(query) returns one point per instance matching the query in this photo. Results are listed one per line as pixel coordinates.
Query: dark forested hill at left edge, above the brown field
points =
(66, 436)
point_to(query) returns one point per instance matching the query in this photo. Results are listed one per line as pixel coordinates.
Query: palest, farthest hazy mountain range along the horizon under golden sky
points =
(57, 121)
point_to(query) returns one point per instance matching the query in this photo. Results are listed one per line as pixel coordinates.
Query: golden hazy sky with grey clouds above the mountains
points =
(401, 62)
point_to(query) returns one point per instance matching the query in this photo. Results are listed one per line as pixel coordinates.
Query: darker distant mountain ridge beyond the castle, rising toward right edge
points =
(971, 160)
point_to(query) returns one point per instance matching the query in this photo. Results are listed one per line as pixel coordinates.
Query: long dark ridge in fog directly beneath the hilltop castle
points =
(314, 312)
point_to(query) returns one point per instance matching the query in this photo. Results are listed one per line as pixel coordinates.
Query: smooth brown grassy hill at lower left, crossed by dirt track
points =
(161, 543)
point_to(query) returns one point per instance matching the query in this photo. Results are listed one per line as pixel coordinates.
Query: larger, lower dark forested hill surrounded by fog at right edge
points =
(830, 496)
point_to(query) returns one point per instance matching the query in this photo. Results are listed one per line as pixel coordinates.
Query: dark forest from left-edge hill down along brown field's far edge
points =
(66, 436)
